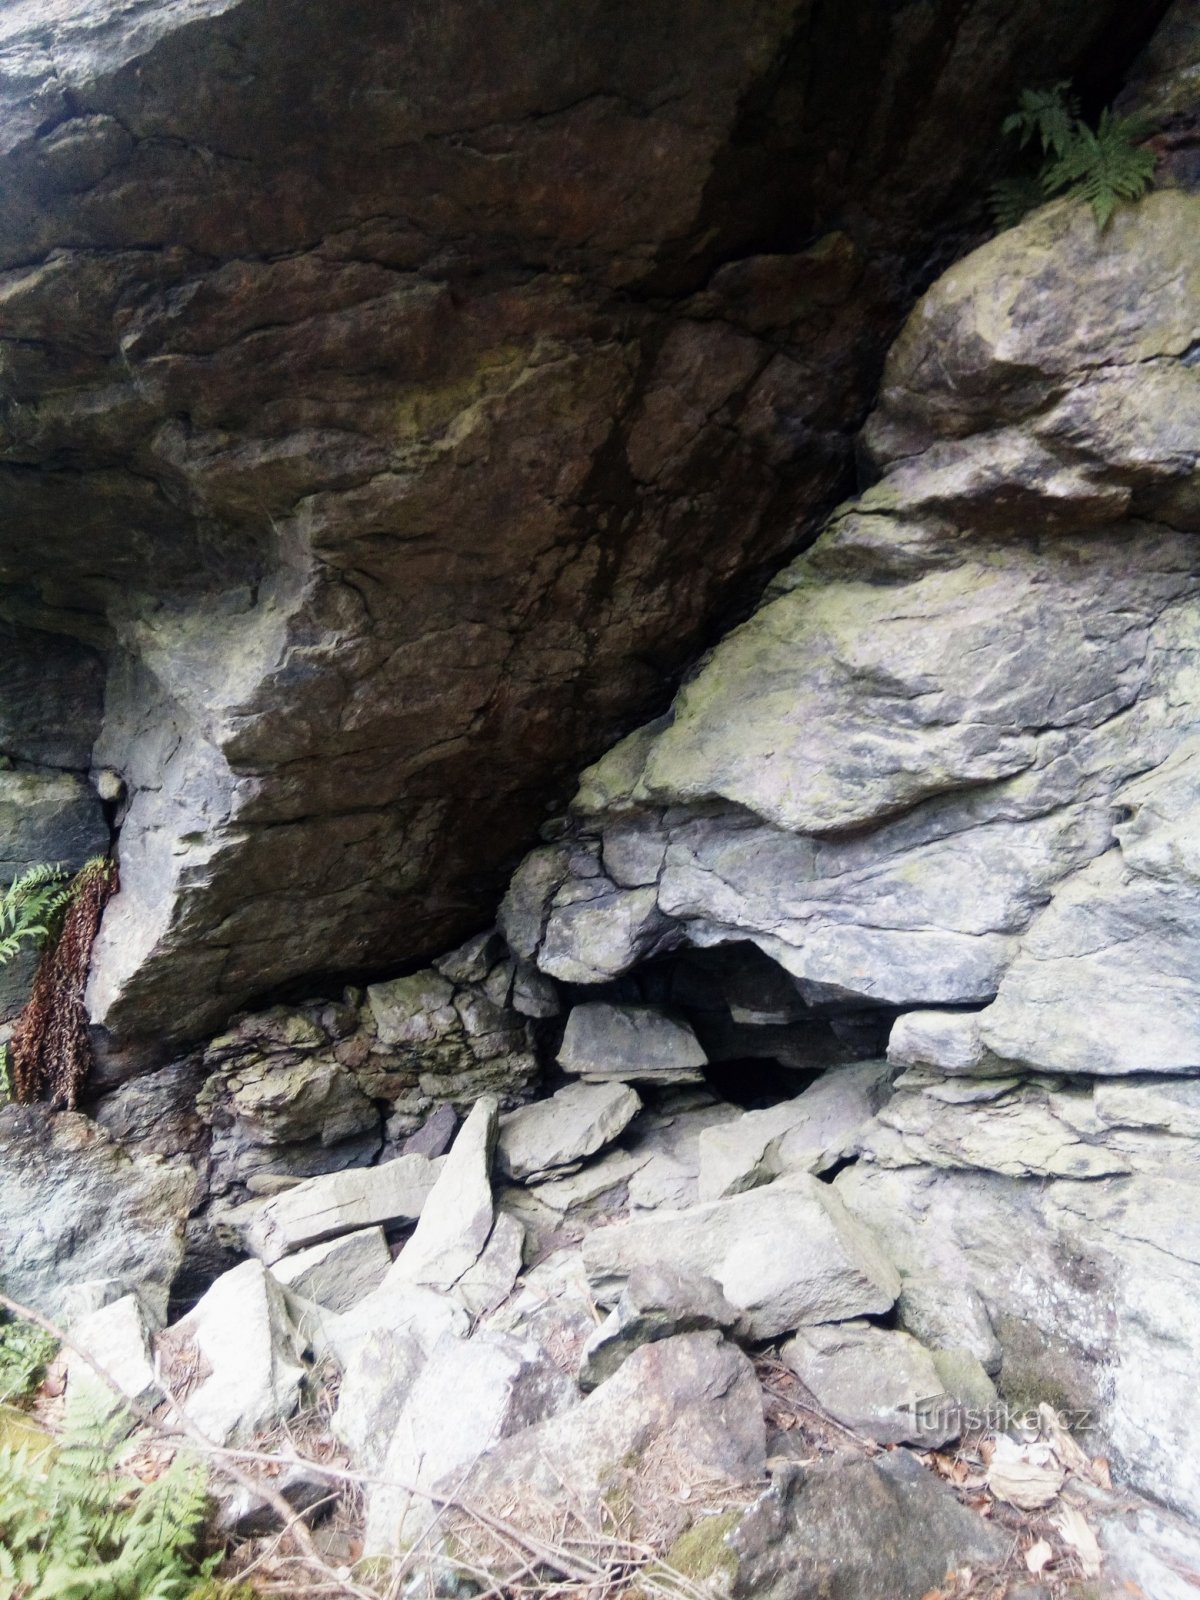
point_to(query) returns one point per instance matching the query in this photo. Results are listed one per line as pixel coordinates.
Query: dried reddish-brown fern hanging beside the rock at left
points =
(50, 1052)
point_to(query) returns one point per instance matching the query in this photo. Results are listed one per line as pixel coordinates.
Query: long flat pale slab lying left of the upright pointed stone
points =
(340, 1204)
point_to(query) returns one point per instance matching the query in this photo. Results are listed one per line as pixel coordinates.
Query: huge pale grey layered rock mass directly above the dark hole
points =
(975, 783)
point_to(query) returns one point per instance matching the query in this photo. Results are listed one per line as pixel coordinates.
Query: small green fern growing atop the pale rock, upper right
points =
(1103, 166)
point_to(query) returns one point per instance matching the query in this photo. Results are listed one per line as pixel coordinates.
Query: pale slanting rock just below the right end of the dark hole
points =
(809, 1134)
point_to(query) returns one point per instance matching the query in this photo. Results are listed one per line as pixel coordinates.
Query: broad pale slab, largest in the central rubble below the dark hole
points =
(786, 1255)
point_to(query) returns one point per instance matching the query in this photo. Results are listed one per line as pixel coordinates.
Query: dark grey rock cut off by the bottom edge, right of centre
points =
(862, 1530)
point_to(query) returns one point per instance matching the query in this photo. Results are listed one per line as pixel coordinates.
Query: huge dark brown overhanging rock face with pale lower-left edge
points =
(393, 401)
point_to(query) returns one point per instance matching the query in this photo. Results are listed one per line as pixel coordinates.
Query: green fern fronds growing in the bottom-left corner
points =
(74, 1527)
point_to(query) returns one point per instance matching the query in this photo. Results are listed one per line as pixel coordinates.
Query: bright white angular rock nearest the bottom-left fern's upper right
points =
(239, 1353)
